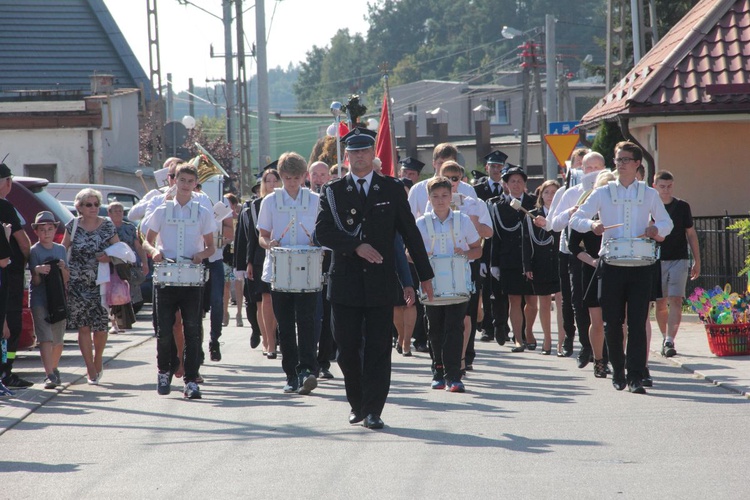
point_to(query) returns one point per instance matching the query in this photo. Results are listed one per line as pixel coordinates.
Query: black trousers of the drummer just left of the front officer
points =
(295, 314)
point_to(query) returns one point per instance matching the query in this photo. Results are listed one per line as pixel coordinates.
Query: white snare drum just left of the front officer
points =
(297, 269)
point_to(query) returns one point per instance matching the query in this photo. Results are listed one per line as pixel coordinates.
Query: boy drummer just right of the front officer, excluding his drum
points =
(446, 232)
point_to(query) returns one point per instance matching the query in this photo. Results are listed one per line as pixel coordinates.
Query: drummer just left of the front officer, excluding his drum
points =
(286, 219)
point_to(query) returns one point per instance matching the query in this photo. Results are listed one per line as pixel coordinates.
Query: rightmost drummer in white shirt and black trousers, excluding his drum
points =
(630, 205)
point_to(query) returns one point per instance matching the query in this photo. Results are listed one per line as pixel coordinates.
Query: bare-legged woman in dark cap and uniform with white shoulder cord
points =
(506, 258)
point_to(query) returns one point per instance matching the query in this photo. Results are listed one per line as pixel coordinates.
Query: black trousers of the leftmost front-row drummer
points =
(187, 300)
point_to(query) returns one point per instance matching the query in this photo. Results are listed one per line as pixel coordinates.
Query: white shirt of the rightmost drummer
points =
(600, 202)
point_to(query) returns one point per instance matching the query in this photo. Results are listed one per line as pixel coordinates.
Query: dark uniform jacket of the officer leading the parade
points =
(352, 280)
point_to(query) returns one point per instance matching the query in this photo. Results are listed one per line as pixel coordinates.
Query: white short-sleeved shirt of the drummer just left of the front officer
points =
(275, 221)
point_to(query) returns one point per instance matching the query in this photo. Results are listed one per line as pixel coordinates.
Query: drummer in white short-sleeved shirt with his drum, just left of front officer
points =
(293, 267)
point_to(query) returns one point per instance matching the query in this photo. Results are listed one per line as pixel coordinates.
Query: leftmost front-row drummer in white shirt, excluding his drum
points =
(185, 233)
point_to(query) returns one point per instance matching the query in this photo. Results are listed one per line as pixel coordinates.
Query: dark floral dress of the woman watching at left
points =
(84, 297)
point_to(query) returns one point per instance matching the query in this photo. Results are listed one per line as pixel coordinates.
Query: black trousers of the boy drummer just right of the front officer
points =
(446, 331)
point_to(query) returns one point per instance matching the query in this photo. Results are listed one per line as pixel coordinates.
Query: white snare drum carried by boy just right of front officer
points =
(452, 282)
